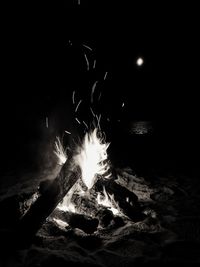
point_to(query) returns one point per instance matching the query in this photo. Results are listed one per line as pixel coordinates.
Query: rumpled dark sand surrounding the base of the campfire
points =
(170, 233)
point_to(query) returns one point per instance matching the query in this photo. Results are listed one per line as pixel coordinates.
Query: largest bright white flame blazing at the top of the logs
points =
(92, 156)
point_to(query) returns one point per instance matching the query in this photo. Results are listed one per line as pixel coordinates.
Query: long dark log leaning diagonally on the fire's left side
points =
(51, 194)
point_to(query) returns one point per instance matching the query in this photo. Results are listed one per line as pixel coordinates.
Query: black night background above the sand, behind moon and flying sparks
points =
(43, 62)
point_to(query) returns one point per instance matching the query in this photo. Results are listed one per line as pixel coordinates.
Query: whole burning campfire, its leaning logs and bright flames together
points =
(84, 195)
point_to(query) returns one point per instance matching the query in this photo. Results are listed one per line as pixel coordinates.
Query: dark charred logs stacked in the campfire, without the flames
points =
(89, 214)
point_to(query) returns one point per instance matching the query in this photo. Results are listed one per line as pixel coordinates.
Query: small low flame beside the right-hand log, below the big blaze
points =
(107, 201)
